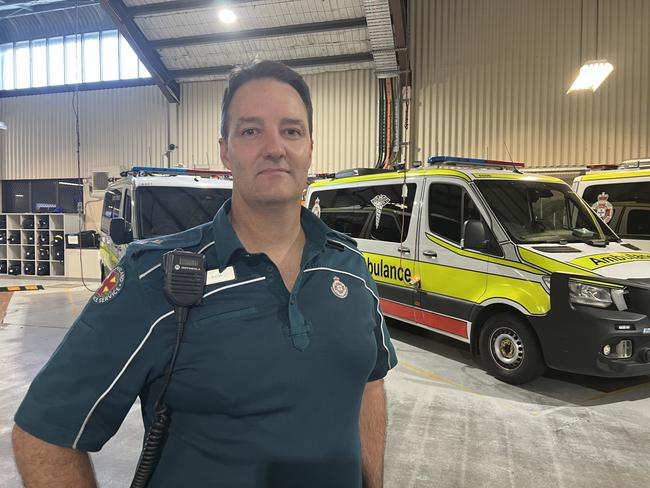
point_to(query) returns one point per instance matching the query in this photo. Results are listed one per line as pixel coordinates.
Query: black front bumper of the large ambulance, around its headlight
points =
(589, 340)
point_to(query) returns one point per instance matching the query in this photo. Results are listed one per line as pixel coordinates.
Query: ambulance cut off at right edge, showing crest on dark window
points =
(621, 198)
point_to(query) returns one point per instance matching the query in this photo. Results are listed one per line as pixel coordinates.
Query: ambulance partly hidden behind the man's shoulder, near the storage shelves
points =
(148, 202)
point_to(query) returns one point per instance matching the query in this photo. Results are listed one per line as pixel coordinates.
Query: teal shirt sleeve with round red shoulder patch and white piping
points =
(81, 396)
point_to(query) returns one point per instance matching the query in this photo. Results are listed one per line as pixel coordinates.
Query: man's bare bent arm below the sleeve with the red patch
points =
(42, 464)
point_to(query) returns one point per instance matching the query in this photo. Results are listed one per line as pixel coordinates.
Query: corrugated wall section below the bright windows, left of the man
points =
(118, 128)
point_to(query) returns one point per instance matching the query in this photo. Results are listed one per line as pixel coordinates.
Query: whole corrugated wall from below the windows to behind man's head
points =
(130, 125)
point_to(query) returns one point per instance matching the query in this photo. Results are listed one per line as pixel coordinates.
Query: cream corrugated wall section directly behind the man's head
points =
(344, 121)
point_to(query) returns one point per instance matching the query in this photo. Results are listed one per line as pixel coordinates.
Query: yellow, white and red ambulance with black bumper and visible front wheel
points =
(514, 264)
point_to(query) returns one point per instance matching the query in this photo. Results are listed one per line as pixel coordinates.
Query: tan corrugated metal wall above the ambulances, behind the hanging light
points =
(493, 73)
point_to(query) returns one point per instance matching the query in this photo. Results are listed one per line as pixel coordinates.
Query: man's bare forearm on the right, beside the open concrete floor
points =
(372, 428)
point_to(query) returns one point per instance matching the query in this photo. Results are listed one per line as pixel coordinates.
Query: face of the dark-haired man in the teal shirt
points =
(269, 147)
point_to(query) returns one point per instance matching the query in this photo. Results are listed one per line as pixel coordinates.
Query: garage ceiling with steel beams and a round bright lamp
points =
(183, 40)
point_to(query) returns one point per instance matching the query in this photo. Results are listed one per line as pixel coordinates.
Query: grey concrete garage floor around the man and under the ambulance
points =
(450, 424)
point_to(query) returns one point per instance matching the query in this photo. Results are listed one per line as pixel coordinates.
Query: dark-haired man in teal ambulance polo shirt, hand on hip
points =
(278, 381)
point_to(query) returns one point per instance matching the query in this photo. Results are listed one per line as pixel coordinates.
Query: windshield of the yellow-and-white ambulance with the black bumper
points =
(538, 211)
